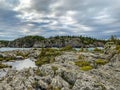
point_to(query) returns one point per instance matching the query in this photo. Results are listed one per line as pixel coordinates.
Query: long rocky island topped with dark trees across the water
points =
(57, 41)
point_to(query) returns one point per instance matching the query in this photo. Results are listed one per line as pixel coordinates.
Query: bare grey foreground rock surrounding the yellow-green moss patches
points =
(64, 74)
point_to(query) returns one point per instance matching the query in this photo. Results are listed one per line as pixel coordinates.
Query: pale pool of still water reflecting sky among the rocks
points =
(19, 65)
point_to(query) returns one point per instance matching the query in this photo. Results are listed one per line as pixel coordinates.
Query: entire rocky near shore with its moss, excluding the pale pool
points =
(70, 70)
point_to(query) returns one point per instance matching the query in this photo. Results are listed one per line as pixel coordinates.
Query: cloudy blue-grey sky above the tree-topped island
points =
(95, 18)
